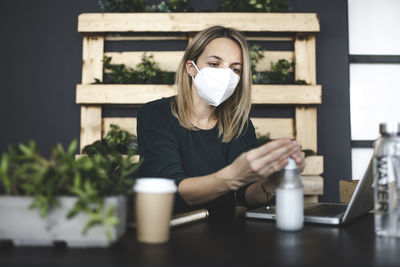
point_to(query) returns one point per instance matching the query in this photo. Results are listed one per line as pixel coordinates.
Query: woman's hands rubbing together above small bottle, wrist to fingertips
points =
(261, 162)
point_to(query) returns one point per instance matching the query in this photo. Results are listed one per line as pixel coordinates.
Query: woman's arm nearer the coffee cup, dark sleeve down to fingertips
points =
(158, 144)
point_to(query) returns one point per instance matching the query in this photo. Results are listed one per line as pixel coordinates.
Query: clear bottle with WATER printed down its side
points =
(386, 180)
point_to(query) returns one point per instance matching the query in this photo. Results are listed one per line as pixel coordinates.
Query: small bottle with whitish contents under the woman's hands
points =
(290, 199)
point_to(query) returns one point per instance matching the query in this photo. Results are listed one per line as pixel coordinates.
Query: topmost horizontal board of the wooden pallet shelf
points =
(192, 22)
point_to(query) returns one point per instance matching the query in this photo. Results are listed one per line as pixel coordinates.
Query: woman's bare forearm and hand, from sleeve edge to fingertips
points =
(249, 167)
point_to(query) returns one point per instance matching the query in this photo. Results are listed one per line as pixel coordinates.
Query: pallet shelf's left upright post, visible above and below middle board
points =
(92, 67)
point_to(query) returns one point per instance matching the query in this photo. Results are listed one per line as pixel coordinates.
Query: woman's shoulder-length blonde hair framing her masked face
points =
(232, 114)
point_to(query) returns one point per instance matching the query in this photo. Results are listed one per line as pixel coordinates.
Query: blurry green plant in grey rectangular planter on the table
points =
(80, 201)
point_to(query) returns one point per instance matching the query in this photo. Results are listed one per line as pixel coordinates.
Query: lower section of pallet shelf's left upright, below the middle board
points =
(90, 125)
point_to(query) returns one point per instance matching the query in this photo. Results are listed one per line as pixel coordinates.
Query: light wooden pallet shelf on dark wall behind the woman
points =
(298, 28)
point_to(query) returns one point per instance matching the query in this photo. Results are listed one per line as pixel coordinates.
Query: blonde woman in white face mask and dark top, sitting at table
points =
(203, 137)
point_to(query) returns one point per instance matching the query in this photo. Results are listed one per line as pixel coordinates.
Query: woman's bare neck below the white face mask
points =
(203, 116)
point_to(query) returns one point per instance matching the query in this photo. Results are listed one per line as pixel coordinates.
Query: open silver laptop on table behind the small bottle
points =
(362, 201)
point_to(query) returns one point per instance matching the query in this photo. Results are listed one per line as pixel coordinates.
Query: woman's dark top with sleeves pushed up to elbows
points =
(172, 151)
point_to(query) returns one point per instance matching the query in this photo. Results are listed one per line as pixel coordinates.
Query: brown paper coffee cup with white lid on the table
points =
(154, 201)
